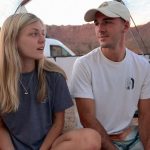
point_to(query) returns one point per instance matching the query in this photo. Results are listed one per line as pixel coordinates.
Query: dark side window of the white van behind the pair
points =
(58, 51)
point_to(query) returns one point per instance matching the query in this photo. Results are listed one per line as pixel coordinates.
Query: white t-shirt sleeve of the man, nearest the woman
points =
(81, 85)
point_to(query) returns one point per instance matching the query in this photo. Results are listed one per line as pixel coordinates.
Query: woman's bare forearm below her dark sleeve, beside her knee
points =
(54, 132)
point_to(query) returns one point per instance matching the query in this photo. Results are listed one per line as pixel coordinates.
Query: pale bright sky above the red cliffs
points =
(71, 12)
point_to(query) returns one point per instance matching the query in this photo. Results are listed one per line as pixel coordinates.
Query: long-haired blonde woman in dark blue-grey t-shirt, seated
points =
(34, 93)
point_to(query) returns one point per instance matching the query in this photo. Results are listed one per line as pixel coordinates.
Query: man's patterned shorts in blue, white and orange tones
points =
(131, 142)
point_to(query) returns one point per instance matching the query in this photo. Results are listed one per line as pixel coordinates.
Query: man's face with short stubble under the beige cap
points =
(109, 31)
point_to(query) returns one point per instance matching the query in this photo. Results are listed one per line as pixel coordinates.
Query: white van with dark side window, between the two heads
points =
(55, 48)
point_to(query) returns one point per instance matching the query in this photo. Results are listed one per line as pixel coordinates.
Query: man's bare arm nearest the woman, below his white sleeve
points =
(86, 109)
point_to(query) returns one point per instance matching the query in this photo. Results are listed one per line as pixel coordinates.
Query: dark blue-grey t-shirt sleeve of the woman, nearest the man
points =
(62, 98)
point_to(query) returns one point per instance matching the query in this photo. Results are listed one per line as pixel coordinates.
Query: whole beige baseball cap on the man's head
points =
(111, 9)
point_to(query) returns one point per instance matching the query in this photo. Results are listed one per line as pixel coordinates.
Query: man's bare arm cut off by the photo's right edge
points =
(144, 122)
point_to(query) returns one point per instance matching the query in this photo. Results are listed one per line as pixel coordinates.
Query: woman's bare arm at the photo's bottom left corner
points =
(6, 143)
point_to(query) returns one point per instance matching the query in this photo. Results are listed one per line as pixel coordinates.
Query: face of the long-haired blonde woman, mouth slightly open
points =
(31, 41)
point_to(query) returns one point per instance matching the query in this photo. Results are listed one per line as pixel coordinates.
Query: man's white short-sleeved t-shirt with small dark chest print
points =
(116, 87)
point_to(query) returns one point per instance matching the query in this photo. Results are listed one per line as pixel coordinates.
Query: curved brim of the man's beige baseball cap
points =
(90, 14)
